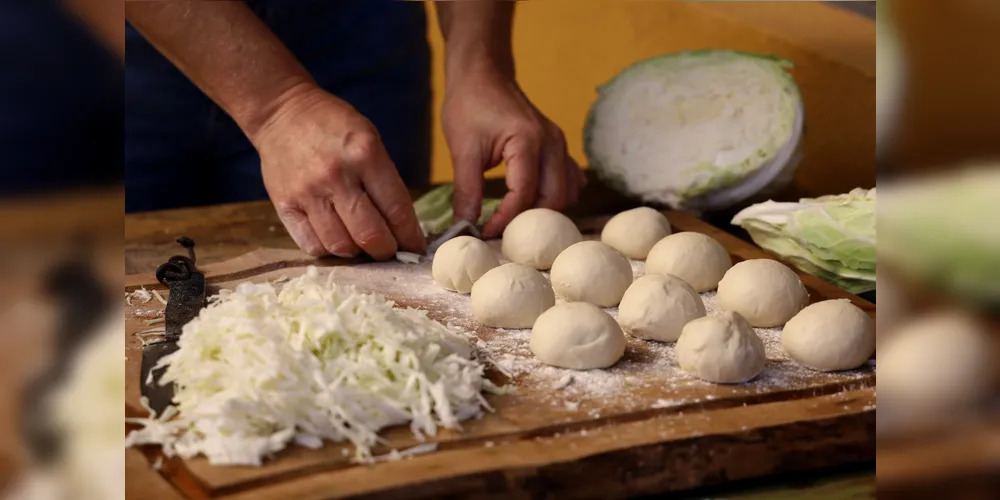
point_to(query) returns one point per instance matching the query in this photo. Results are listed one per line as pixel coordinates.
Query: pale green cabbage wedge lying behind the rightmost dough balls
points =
(832, 237)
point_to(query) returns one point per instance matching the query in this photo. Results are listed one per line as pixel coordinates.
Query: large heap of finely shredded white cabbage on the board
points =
(259, 368)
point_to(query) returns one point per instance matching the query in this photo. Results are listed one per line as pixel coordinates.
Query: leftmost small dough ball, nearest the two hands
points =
(460, 261)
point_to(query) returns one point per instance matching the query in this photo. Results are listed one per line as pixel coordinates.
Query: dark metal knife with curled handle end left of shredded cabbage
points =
(186, 299)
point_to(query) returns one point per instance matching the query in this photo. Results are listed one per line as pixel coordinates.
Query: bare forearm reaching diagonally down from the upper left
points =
(227, 52)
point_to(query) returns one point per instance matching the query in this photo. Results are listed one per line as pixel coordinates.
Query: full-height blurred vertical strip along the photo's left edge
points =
(61, 374)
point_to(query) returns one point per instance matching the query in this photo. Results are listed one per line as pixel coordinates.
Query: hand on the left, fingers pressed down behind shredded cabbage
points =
(332, 182)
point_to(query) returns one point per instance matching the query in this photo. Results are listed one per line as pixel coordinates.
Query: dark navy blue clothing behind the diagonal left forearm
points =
(182, 150)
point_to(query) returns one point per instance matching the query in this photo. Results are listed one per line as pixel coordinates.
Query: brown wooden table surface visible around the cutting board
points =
(227, 231)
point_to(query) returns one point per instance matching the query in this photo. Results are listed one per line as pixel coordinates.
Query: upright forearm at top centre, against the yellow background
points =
(477, 36)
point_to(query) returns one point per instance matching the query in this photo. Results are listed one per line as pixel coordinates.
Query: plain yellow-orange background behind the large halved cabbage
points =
(564, 49)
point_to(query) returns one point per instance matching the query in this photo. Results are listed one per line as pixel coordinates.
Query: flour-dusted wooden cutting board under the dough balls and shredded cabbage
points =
(642, 426)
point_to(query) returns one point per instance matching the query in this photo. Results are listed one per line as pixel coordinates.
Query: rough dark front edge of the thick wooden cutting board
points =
(630, 460)
